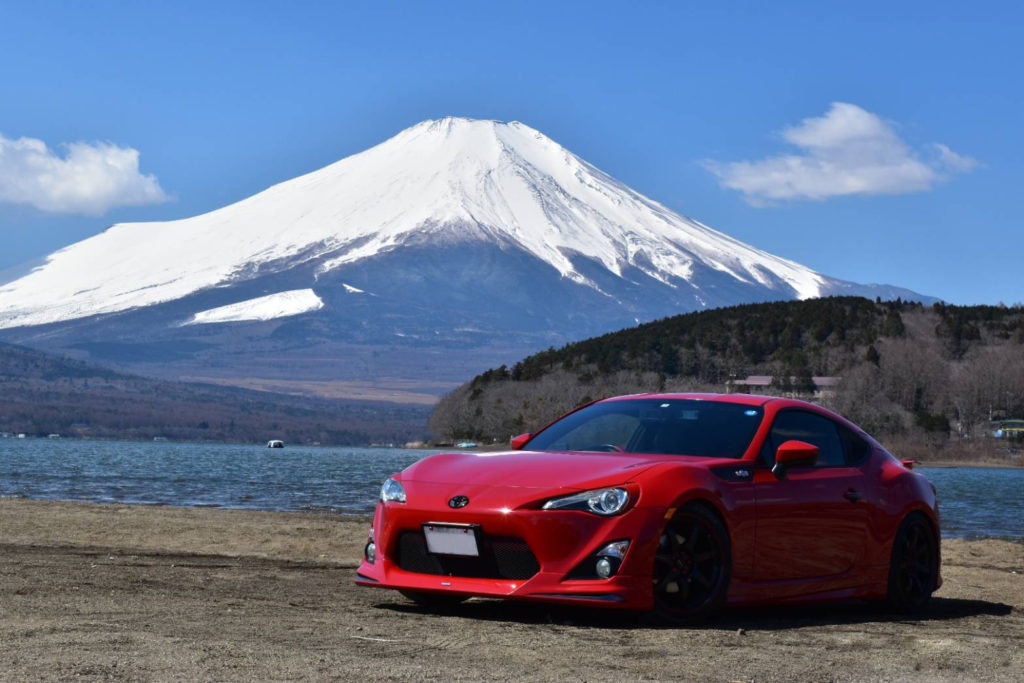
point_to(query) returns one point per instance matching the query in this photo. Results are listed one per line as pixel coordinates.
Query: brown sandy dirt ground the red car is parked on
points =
(108, 592)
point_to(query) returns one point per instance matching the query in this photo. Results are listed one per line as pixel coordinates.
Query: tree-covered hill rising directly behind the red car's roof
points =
(906, 369)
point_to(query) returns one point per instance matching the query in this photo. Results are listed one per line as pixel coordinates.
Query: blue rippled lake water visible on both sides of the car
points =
(974, 502)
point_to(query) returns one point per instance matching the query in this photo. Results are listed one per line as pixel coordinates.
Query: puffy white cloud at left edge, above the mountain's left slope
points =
(90, 179)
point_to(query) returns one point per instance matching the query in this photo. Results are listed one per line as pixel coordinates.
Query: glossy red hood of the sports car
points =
(532, 469)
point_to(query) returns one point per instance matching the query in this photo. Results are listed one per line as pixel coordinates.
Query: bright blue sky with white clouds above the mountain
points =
(812, 131)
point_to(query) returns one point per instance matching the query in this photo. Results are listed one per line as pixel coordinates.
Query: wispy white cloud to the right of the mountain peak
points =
(849, 151)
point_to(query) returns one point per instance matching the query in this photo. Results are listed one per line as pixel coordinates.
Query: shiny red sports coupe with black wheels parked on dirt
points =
(676, 503)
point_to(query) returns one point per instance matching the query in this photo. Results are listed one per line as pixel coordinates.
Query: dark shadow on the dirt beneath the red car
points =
(766, 618)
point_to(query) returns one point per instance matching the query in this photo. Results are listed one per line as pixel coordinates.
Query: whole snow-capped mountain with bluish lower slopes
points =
(454, 245)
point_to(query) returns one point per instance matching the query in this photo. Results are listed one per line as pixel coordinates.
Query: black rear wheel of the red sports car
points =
(914, 569)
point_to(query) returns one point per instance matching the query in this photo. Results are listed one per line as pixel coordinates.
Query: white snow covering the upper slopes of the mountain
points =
(446, 183)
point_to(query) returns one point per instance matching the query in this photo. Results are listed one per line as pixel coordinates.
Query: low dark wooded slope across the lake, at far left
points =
(41, 395)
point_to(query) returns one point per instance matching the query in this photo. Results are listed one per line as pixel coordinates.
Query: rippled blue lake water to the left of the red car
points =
(336, 480)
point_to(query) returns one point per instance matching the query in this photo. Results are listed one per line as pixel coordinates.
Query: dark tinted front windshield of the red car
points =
(669, 426)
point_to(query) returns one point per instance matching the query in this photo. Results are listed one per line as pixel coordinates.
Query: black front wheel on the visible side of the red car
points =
(693, 567)
